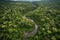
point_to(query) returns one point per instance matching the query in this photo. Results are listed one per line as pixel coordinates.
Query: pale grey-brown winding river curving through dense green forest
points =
(28, 33)
